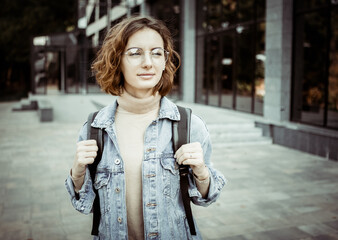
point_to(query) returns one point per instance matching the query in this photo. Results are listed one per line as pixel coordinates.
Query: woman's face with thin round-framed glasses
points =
(143, 62)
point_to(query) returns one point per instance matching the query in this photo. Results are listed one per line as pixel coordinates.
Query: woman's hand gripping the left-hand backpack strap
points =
(86, 152)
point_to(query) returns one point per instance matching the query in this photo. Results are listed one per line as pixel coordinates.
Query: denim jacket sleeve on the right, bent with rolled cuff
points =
(199, 133)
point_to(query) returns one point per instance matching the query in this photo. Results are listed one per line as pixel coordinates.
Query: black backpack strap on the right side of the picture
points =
(181, 135)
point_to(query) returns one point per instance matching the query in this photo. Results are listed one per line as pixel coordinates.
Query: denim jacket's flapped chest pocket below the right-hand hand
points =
(170, 176)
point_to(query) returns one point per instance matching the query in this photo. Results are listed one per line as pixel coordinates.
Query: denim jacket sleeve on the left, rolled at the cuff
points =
(83, 200)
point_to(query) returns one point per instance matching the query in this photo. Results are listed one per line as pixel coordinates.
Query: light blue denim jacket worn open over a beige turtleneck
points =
(163, 210)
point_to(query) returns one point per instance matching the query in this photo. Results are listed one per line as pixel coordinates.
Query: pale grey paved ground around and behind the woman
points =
(273, 192)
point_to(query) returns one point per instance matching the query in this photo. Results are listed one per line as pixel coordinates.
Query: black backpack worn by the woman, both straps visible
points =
(181, 135)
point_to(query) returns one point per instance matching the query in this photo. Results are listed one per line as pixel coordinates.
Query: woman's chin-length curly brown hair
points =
(107, 65)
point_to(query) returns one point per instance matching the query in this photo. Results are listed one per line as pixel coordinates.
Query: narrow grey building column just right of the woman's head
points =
(188, 50)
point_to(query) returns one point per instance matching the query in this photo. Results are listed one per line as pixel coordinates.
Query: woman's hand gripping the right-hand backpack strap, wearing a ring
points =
(192, 154)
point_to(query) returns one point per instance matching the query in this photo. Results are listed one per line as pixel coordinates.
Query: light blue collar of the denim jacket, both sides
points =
(106, 116)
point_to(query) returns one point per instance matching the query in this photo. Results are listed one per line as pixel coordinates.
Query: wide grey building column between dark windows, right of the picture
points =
(278, 65)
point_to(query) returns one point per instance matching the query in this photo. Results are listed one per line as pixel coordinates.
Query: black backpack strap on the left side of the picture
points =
(97, 134)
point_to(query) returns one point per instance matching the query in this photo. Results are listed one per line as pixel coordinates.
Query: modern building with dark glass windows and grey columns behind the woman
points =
(274, 58)
